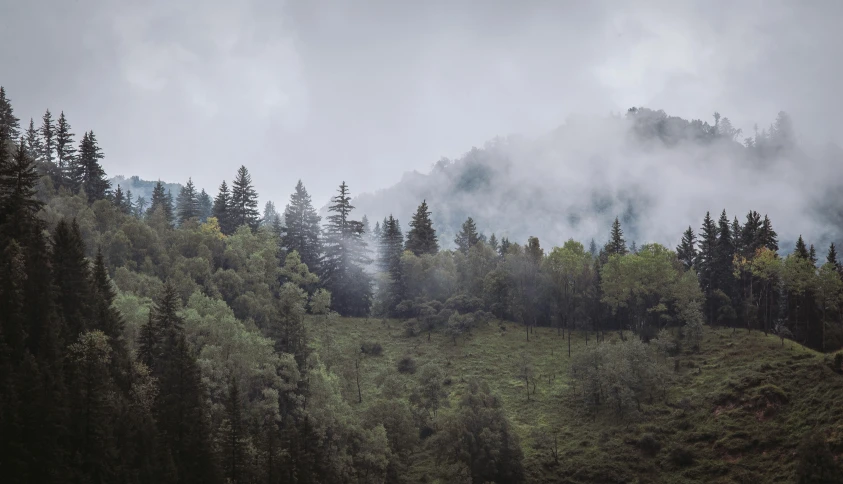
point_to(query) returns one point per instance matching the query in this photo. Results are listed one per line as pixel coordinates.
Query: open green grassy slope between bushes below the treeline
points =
(751, 402)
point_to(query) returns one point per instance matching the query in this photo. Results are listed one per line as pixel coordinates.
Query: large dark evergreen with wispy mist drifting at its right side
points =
(344, 258)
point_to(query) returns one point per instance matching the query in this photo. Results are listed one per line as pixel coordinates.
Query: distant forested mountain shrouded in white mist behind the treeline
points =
(657, 173)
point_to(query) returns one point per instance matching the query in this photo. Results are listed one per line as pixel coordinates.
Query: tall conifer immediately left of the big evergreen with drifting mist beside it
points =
(303, 231)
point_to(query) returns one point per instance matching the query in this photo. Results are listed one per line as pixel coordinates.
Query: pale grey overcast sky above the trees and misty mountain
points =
(363, 91)
